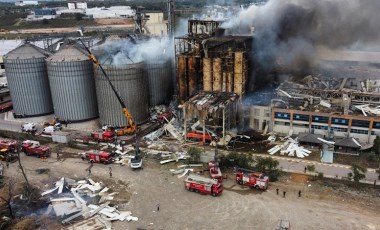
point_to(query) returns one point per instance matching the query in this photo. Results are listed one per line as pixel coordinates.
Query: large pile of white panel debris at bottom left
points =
(81, 200)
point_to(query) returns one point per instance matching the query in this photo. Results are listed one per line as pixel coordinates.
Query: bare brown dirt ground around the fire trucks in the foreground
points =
(320, 206)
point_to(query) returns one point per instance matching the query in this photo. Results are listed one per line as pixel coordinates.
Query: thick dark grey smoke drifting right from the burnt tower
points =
(288, 31)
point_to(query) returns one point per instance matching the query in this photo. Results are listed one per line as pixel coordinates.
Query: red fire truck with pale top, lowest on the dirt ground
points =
(199, 184)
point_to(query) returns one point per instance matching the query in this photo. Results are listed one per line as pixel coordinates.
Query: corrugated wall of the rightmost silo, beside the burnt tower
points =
(160, 82)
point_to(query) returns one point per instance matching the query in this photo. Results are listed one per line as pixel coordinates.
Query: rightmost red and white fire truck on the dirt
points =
(253, 179)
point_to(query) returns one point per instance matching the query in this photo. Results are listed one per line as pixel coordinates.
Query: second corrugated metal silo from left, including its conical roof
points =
(72, 84)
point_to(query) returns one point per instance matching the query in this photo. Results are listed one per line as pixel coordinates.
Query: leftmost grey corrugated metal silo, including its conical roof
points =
(28, 82)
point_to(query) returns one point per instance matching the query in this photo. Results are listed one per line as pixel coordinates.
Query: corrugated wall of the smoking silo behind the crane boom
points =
(131, 84)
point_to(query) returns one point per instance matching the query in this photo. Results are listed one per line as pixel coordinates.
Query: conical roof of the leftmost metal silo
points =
(26, 51)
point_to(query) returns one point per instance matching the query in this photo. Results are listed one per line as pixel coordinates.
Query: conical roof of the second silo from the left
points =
(68, 53)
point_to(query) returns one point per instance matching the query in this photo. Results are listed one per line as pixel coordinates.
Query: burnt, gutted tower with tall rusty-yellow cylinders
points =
(212, 68)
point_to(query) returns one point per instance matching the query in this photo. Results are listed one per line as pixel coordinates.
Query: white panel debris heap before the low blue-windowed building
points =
(291, 148)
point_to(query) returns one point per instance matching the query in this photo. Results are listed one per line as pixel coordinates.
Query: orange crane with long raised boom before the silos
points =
(131, 126)
